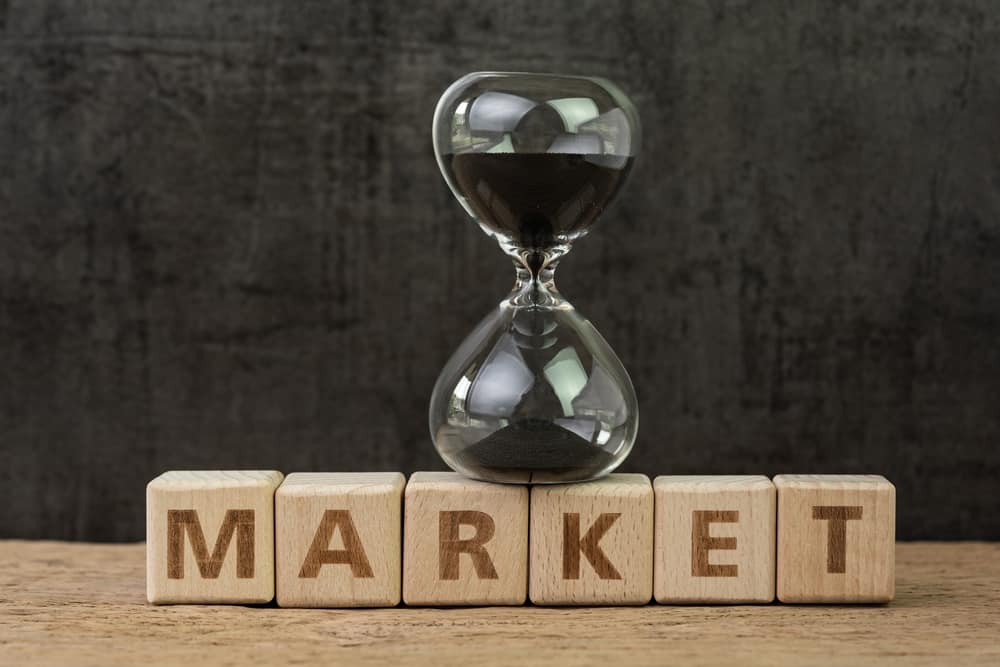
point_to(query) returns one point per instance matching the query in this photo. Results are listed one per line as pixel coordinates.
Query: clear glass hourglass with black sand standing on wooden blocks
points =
(534, 393)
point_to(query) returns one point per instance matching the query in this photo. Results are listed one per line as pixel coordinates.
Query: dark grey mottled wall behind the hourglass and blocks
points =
(224, 241)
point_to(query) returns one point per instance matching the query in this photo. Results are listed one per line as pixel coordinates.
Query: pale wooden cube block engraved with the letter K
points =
(592, 543)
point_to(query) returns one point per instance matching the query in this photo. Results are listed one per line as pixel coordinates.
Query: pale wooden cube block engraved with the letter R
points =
(465, 542)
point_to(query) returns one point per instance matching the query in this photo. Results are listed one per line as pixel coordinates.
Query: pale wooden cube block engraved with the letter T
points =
(836, 538)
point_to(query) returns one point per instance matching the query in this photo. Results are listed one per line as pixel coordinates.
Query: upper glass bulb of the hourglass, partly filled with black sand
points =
(535, 158)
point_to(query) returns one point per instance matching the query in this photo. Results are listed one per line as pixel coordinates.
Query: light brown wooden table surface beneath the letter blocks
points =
(84, 604)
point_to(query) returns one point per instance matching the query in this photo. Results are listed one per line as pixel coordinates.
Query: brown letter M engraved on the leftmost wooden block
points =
(180, 522)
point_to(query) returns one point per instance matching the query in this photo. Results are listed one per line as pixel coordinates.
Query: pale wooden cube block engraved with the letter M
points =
(210, 536)
